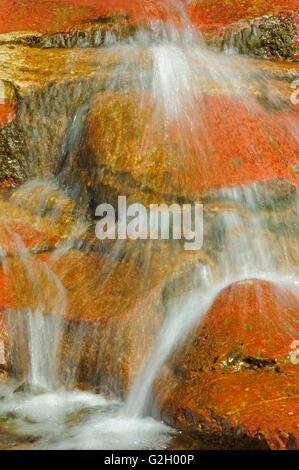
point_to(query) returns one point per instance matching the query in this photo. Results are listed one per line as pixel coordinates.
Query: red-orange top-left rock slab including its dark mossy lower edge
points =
(67, 17)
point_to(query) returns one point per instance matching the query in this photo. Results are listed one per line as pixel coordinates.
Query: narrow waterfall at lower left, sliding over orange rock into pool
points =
(34, 328)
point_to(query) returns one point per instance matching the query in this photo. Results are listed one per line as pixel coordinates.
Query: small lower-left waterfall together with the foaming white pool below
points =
(37, 403)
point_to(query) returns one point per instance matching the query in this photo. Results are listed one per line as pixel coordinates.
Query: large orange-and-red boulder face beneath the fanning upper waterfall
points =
(230, 142)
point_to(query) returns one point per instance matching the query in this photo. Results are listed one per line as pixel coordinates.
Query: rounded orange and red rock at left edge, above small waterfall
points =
(25, 234)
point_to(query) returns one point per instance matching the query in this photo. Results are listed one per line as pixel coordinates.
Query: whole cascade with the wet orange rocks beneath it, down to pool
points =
(92, 326)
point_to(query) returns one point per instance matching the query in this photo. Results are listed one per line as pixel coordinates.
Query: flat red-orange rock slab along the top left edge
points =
(57, 15)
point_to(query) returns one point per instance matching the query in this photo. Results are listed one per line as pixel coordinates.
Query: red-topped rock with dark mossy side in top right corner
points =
(259, 28)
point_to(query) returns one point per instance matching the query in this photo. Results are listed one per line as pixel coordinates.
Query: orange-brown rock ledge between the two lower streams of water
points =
(113, 308)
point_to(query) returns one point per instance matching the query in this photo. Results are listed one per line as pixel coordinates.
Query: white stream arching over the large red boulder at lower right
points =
(180, 321)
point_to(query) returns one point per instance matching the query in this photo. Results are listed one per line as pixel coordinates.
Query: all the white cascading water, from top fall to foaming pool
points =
(181, 71)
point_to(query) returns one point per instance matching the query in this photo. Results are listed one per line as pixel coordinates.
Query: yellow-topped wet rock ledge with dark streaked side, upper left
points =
(51, 89)
